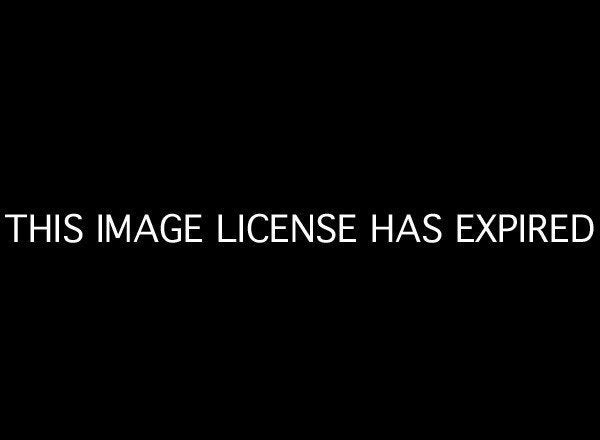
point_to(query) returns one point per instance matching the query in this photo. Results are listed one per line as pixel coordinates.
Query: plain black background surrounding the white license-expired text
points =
(368, 113)
